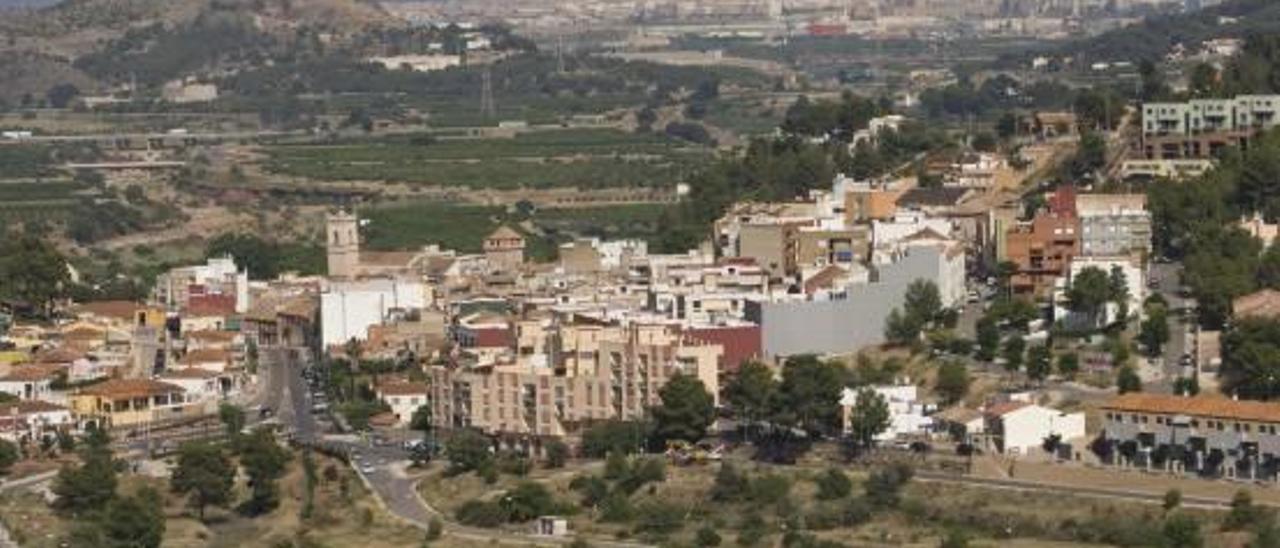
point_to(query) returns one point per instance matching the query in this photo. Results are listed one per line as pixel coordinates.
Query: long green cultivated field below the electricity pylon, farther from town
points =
(586, 159)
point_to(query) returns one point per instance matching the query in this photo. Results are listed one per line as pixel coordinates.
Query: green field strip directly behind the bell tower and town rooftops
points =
(464, 227)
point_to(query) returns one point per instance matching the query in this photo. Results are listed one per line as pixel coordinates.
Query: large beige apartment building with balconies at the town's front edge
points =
(579, 375)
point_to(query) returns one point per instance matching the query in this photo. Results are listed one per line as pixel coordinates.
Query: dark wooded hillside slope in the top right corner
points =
(1154, 38)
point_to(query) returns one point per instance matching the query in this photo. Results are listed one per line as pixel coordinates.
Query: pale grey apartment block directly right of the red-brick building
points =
(1114, 225)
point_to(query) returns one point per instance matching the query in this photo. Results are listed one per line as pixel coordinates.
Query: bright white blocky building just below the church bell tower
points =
(349, 309)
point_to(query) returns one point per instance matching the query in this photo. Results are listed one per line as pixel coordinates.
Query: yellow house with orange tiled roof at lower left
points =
(120, 404)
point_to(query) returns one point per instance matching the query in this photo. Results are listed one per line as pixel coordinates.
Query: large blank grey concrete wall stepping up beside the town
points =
(847, 326)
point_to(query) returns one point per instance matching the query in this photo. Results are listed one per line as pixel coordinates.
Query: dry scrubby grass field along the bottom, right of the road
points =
(924, 515)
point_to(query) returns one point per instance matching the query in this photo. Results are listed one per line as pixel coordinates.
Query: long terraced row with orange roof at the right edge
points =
(1203, 435)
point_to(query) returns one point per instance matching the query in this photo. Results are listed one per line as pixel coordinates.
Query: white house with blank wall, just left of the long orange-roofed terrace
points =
(1021, 428)
